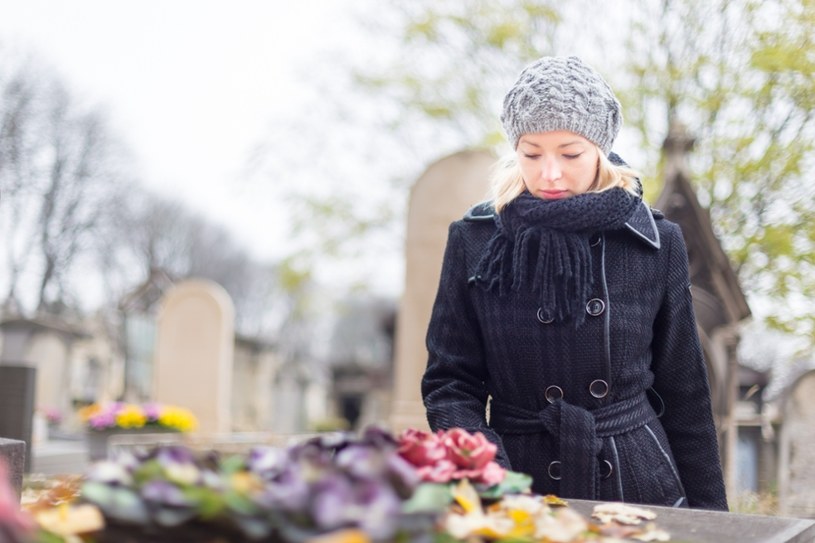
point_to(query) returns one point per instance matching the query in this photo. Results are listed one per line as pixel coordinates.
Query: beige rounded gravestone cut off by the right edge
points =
(796, 477)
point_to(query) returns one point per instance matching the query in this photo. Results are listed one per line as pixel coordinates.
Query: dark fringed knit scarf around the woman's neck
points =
(543, 246)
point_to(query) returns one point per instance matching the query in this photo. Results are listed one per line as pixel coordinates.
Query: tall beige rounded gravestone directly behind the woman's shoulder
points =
(441, 195)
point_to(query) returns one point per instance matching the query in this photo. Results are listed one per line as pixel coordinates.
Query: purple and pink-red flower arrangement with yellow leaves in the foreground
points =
(337, 488)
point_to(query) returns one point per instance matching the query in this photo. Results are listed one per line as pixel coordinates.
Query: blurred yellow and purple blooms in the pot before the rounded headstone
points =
(120, 415)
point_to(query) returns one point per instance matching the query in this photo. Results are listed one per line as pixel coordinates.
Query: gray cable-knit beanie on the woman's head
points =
(557, 93)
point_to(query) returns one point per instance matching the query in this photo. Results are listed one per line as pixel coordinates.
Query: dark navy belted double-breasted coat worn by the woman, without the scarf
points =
(542, 379)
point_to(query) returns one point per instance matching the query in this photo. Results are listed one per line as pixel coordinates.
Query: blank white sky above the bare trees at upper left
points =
(191, 86)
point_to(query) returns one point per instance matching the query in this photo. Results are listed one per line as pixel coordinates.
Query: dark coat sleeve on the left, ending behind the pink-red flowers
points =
(453, 386)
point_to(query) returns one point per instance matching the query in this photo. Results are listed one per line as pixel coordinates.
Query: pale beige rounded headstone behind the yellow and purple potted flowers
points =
(194, 352)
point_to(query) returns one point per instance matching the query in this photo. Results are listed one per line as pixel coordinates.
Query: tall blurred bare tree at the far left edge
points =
(58, 172)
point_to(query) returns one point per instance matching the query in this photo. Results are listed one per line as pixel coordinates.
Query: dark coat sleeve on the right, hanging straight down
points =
(680, 378)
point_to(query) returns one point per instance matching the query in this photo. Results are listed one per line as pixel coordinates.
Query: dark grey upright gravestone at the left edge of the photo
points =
(17, 398)
